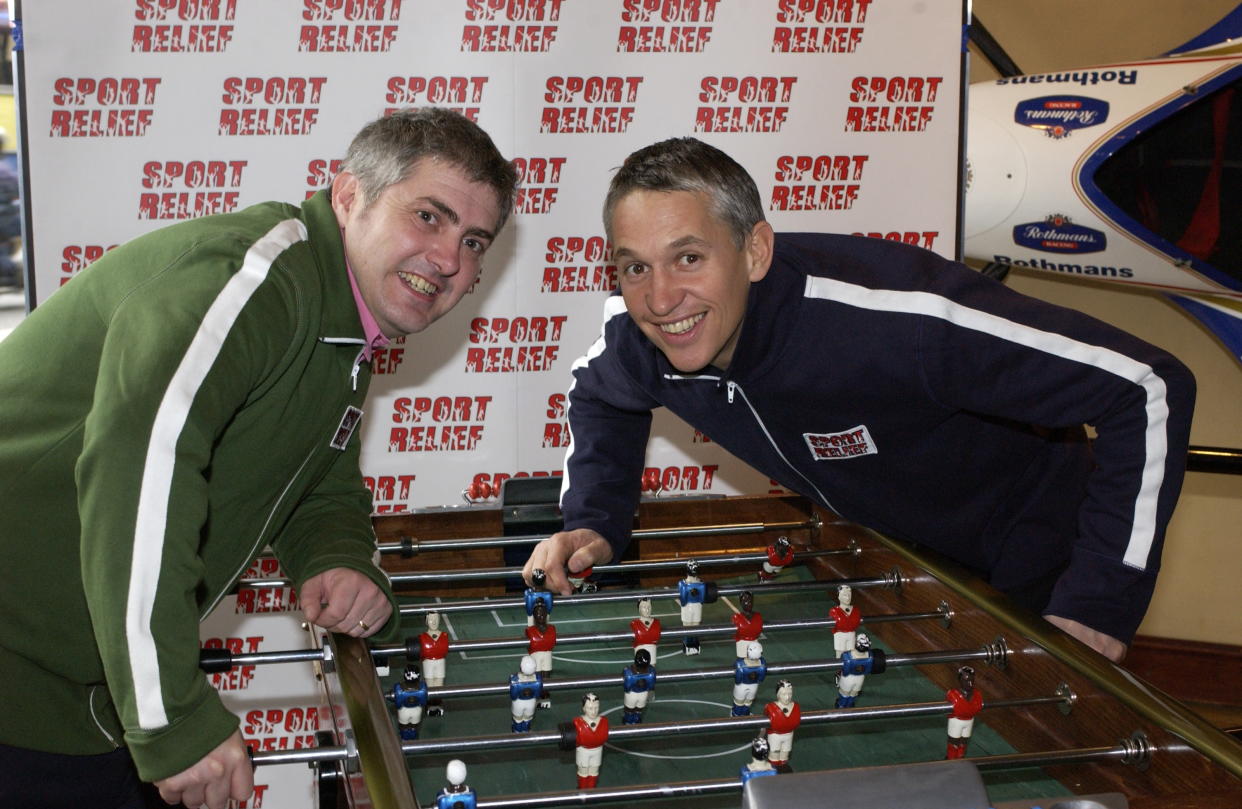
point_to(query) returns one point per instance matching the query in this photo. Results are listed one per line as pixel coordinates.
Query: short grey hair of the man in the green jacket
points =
(386, 151)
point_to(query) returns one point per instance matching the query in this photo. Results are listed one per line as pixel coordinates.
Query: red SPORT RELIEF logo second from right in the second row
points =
(743, 104)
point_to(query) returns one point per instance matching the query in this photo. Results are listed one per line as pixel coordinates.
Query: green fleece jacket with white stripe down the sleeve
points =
(167, 414)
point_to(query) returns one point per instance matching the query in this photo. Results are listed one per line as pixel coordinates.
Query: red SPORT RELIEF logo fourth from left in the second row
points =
(587, 105)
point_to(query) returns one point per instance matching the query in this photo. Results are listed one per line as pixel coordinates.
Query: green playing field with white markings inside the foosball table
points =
(716, 756)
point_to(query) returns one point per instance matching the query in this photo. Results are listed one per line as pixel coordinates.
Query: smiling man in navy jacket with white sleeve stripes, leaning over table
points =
(905, 392)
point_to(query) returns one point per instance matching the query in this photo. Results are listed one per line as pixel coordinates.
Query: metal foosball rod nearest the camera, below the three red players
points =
(1135, 751)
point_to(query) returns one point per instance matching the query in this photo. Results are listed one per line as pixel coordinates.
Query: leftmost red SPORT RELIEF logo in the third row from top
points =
(184, 190)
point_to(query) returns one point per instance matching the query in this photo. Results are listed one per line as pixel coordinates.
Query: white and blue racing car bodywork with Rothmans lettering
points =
(1123, 173)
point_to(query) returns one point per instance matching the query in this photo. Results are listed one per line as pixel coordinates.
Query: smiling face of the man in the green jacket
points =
(418, 249)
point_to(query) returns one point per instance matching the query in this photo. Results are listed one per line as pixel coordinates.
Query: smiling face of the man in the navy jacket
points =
(684, 279)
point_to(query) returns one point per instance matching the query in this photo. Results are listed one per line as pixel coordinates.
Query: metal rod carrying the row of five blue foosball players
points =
(994, 654)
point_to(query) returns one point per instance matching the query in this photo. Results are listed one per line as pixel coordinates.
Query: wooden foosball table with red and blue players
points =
(1054, 719)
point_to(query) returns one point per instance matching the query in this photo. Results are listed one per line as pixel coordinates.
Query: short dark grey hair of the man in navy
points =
(689, 165)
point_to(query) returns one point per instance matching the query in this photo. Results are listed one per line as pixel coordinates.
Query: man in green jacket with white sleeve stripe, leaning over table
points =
(186, 402)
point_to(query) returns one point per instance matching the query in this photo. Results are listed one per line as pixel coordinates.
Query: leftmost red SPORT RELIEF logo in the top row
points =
(183, 27)
